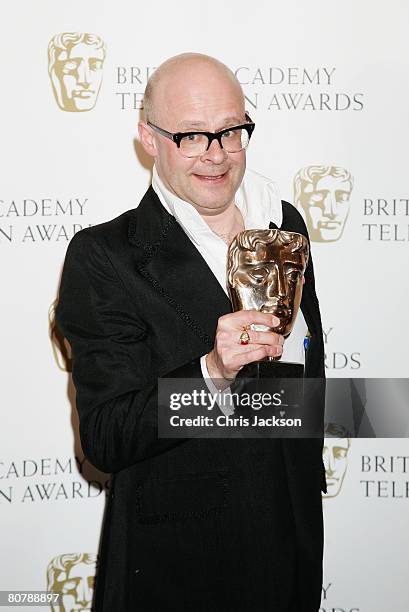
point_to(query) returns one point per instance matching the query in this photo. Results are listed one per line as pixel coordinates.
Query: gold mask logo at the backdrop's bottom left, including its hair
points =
(72, 576)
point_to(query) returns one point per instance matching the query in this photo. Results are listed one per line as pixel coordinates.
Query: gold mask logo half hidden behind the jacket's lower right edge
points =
(335, 458)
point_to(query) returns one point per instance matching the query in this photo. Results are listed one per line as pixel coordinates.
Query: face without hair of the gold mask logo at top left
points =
(79, 76)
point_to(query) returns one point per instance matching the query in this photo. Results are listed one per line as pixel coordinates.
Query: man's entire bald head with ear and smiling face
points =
(193, 93)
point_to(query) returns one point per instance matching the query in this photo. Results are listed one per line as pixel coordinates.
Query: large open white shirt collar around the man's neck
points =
(257, 199)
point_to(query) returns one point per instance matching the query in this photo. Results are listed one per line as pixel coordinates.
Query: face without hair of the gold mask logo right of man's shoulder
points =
(326, 207)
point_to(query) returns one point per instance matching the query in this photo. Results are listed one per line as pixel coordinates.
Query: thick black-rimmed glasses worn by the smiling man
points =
(193, 144)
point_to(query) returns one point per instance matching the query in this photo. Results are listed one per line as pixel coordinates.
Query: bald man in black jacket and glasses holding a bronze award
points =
(194, 524)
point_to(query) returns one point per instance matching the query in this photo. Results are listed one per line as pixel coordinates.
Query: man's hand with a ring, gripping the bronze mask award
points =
(228, 356)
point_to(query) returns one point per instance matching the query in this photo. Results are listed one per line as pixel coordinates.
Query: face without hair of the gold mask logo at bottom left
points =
(76, 587)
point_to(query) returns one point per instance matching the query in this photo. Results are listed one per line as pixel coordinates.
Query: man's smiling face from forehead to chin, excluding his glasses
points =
(202, 99)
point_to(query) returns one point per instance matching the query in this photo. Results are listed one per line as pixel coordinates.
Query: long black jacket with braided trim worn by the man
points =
(200, 524)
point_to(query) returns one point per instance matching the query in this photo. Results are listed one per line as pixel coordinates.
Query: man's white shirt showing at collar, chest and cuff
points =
(259, 203)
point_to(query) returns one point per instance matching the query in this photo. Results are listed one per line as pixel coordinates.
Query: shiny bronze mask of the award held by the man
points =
(265, 271)
